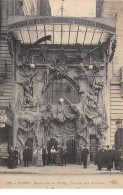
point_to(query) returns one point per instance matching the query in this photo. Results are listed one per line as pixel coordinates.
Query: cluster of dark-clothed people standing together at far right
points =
(109, 158)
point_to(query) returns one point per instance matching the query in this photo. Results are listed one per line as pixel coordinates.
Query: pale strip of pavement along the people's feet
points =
(59, 170)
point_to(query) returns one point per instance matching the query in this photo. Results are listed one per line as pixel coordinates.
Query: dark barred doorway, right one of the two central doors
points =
(71, 151)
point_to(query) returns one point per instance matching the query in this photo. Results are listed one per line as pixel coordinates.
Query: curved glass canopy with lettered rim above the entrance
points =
(63, 30)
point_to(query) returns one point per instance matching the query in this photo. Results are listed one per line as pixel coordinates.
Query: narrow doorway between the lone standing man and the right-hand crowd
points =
(93, 147)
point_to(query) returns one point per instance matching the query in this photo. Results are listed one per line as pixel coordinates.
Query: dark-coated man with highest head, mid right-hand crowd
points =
(109, 158)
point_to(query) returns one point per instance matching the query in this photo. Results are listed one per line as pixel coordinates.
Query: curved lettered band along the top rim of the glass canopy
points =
(62, 20)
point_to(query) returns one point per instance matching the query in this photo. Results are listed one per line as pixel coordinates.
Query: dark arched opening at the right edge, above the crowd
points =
(119, 139)
